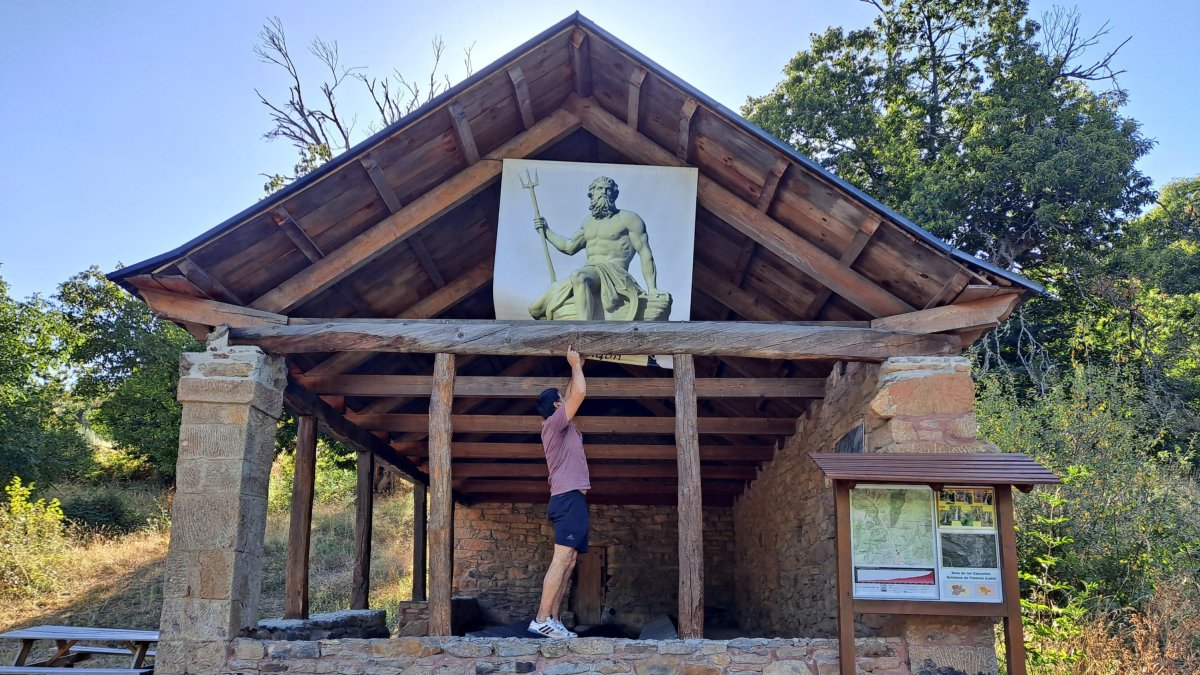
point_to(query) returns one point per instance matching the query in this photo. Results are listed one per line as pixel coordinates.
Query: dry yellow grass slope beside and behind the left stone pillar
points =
(117, 581)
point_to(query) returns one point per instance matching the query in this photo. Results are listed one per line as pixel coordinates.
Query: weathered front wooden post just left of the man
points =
(442, 500)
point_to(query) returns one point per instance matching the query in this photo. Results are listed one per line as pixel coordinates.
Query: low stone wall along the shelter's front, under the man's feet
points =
(466, 656)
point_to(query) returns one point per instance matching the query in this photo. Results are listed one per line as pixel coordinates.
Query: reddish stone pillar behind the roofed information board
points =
(927, 405)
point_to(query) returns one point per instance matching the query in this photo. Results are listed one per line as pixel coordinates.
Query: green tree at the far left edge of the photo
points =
(39, 438)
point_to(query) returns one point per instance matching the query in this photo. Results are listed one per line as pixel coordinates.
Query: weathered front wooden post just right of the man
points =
(692, 516)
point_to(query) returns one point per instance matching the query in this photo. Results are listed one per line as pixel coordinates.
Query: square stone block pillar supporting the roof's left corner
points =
(232, 399)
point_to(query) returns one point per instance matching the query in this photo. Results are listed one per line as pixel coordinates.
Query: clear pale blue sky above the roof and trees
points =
(131, 127)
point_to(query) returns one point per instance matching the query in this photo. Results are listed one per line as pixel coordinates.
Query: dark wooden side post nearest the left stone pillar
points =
(296, 595)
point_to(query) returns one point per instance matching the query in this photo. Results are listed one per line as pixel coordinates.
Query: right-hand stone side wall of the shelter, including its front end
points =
(785, 522)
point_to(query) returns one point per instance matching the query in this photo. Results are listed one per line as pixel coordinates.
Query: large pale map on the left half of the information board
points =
(892, 527)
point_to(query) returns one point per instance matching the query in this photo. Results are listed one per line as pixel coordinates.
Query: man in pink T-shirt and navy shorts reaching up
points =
(569, 482)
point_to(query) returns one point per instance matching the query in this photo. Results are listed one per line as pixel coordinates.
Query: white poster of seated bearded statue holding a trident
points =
(638, 258)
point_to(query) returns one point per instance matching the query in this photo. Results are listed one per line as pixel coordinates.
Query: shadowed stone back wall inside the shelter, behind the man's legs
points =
(503, 551)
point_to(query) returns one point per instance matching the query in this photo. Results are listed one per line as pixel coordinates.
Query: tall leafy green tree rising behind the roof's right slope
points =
(975, 122)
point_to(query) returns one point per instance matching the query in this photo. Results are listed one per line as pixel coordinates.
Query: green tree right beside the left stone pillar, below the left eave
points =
(128, 367)
